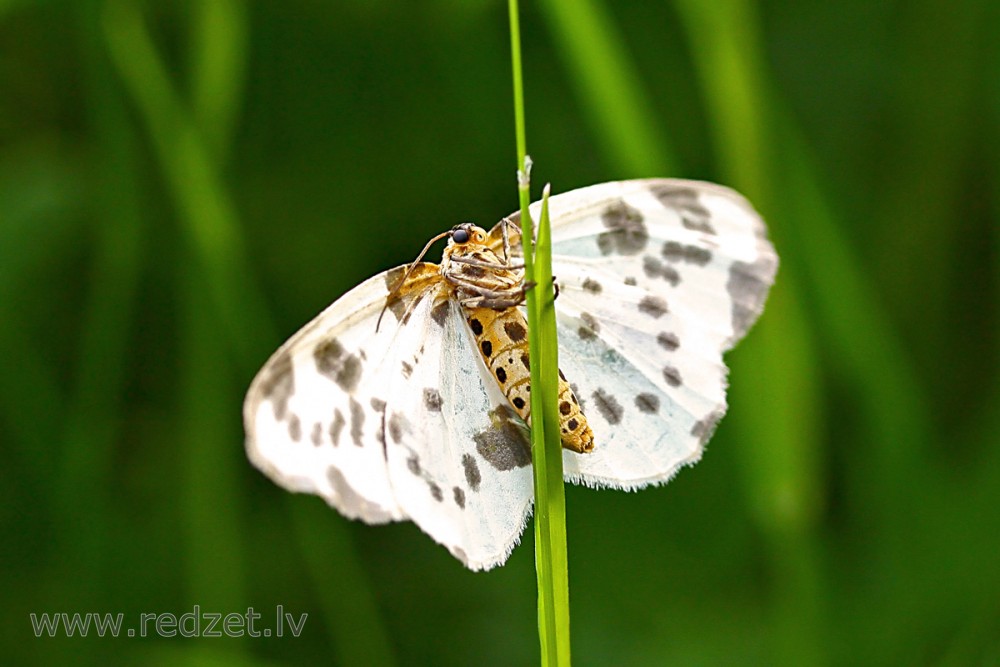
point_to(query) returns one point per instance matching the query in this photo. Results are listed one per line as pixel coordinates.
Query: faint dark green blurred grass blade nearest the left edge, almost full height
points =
(95, 408)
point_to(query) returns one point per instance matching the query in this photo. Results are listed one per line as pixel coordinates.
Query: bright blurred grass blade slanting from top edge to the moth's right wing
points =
(621, 115)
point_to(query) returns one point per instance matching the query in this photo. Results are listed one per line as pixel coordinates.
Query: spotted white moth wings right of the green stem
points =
(657, 279)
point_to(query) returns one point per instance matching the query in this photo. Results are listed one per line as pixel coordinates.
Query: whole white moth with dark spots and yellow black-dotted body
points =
(408, 397)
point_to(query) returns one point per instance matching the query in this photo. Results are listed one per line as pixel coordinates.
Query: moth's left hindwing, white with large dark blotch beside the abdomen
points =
(458, 455)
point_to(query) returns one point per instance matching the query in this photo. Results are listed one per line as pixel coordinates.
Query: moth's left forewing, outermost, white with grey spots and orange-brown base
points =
(313, 414)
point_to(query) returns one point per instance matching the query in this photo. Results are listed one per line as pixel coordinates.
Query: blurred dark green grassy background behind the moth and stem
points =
(184, 184)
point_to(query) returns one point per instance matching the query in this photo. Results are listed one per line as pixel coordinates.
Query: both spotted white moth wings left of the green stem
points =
(395, 424)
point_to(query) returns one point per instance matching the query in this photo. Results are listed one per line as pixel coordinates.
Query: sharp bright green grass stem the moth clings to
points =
(550, 501)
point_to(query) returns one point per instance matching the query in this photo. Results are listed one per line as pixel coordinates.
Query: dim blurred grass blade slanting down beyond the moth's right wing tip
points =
(858, 330)
